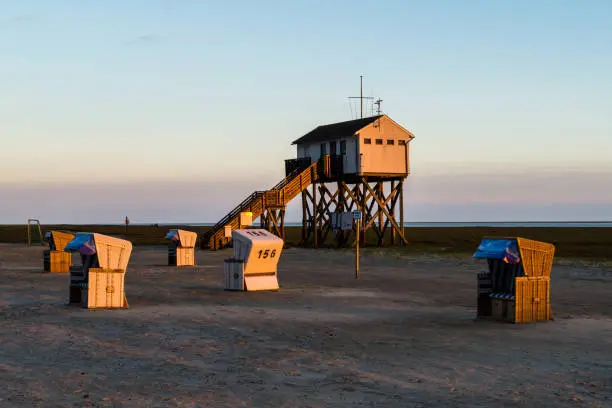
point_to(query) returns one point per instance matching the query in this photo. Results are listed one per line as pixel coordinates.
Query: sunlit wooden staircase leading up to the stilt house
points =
(260, 201)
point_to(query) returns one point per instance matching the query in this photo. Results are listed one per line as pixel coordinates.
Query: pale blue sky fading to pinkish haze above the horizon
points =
(174, 111)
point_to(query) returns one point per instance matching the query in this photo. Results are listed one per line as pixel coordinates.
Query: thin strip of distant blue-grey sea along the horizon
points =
(540, 224)
